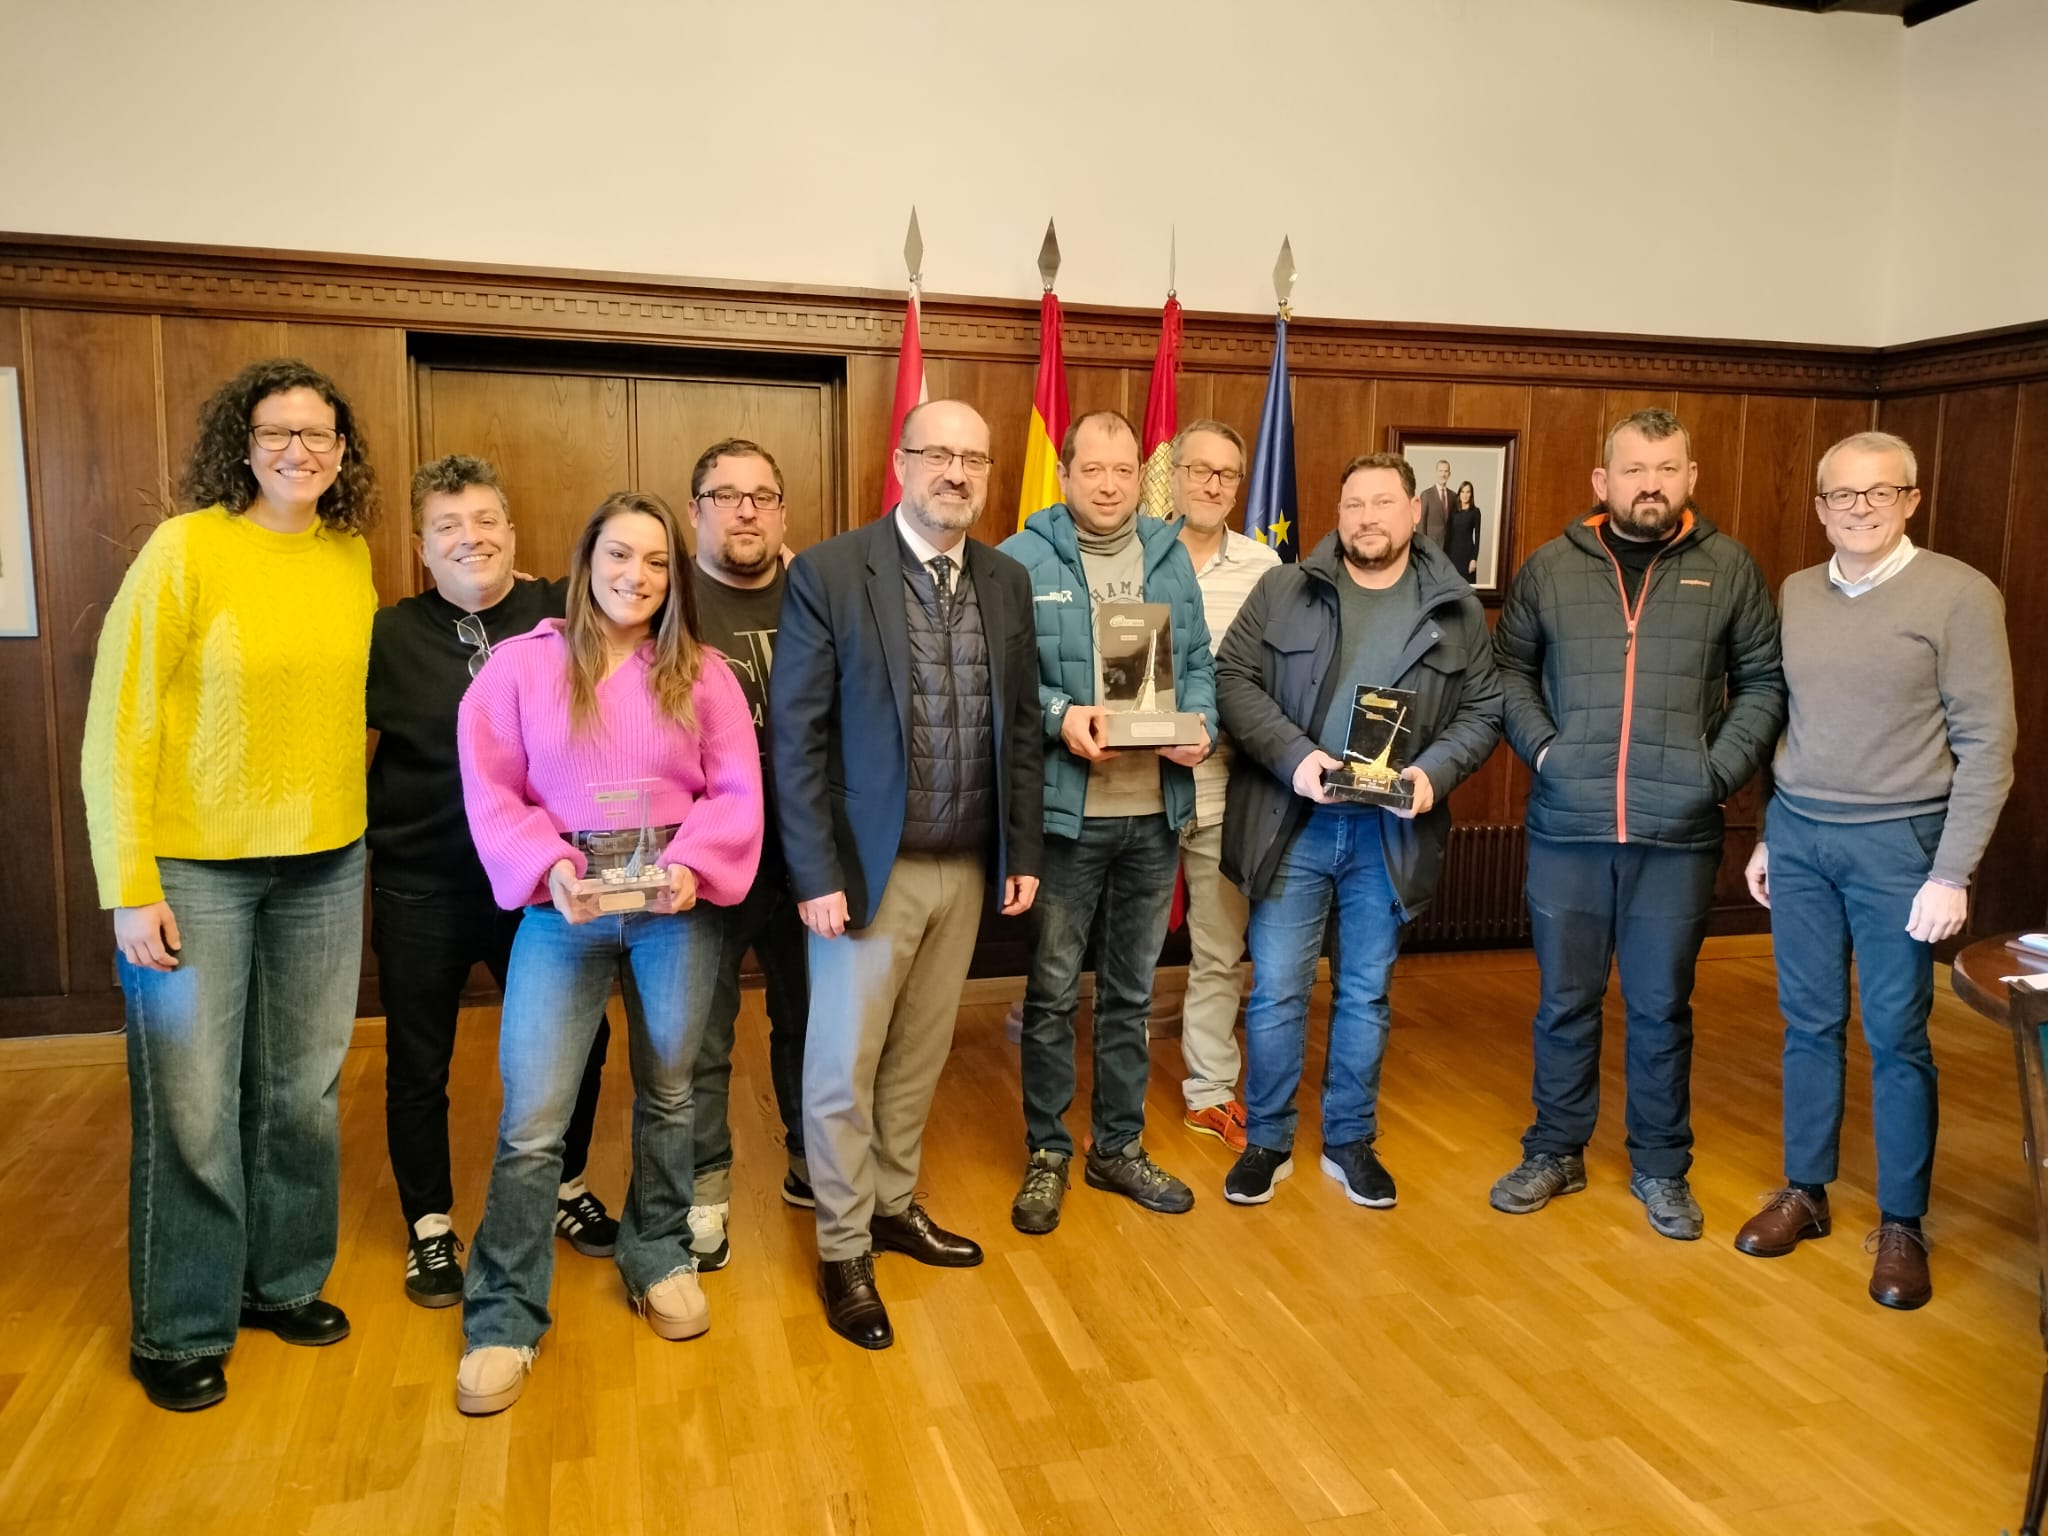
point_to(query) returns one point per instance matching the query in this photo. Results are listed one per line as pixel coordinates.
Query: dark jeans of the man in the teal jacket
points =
(1113, 884)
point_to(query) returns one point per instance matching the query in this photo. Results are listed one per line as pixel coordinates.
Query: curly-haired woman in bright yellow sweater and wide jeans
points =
(224, 794)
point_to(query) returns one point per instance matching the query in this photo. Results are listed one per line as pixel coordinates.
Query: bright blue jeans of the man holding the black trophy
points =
(1336, 861)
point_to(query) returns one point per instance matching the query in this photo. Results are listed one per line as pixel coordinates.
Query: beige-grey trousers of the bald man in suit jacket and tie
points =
(884, 1000)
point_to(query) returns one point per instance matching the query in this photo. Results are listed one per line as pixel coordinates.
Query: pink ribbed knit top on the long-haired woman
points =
(527, 781)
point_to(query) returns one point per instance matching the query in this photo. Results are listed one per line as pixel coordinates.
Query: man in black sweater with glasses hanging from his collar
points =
(433, 916)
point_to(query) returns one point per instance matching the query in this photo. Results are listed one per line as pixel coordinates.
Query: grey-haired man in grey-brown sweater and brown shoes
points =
(1895, 763)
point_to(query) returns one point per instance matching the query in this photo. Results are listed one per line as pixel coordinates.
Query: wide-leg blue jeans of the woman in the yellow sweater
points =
(234, 1072)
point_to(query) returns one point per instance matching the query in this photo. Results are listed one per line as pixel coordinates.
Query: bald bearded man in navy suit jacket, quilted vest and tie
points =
(910, 777)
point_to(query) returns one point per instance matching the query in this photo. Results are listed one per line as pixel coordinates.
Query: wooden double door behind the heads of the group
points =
(566, 437)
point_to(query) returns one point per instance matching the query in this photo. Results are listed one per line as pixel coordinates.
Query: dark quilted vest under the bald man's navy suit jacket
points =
(951, 806)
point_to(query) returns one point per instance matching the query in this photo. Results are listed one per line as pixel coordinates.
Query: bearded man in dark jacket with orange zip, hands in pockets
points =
(1639, 665)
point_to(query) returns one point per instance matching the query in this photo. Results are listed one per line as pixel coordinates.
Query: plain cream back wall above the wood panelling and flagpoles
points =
(1605, 165)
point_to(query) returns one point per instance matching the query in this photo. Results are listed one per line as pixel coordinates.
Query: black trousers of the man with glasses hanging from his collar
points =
(427, 943)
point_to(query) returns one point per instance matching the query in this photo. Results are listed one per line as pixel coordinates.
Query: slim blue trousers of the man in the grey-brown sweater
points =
(1838, 890)
